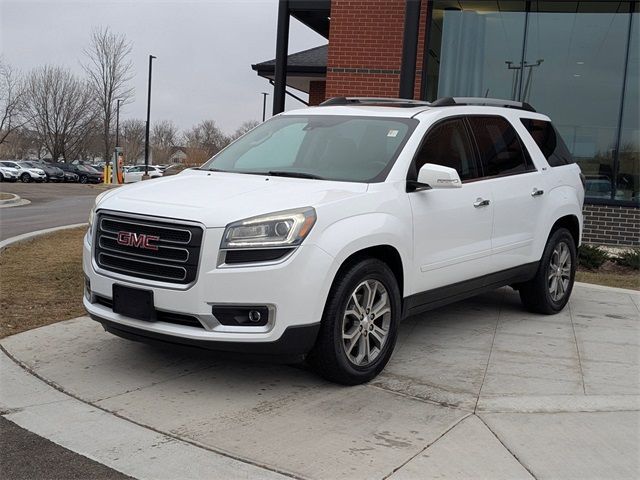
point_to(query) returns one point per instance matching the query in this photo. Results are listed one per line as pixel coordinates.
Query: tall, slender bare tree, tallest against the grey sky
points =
(110, 70)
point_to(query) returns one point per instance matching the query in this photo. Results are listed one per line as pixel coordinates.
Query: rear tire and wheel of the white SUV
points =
(549, 291)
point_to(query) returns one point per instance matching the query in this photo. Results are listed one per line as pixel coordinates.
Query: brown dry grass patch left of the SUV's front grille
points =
(41, 281)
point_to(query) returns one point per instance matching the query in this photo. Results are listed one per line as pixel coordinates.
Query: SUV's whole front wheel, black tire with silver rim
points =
(359, 324)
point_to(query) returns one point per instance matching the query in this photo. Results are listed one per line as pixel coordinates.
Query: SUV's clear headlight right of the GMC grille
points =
(288, 228)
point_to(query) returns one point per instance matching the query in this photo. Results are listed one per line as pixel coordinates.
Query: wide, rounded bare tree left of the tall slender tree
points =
(61, 110)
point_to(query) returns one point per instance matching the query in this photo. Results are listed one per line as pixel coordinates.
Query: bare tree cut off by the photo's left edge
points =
(11, 101)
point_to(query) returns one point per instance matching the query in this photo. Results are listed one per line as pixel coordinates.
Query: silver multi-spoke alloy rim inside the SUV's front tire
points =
(366, 322)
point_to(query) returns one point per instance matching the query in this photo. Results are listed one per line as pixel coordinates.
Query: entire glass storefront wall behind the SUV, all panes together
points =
(565, 58)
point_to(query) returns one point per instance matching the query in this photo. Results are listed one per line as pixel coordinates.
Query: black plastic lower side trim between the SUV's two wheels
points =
(438, 297)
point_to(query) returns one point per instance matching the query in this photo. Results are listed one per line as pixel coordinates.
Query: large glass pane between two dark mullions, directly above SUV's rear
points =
(579, 84)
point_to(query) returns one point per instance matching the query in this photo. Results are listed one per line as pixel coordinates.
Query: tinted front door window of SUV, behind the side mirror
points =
(448, 144)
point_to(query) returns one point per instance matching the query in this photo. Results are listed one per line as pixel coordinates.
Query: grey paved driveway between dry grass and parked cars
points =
(52, 205)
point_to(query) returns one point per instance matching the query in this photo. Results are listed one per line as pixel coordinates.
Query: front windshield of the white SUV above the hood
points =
(353, 149)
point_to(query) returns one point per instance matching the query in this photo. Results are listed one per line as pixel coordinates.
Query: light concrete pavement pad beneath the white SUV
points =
(479, 389)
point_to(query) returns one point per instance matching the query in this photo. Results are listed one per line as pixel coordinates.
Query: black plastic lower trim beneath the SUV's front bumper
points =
(295, 341)
